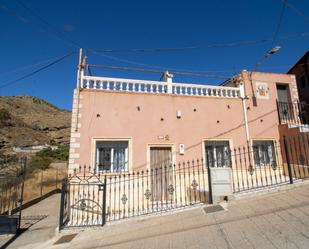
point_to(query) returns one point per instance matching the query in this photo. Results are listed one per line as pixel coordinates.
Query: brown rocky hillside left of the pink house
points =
(27, 121)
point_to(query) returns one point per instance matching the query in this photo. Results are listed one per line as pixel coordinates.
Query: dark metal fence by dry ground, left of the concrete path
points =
(21, 187)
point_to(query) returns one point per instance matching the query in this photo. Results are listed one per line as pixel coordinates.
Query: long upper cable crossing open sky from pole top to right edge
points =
(213, 45)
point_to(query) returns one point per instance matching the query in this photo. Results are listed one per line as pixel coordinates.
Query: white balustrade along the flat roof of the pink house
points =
(159, 87)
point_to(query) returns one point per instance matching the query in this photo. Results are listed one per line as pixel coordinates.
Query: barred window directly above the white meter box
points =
(218, 153)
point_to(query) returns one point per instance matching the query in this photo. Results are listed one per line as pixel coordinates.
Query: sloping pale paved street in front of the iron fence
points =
(276, 220)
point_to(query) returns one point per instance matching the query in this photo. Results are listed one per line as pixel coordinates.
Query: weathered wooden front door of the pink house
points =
(162, 172)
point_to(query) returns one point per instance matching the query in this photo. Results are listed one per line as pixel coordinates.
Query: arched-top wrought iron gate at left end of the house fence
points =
(83, 200)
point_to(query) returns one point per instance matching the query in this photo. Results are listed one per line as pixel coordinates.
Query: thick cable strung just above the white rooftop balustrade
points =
(156, 71)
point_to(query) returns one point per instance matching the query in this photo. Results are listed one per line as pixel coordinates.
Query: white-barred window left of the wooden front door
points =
(112, 156)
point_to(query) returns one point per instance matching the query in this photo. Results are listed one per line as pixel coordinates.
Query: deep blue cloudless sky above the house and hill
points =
(27, 42)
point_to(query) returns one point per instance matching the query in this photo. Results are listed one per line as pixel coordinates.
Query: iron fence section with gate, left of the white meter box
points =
(90, 199)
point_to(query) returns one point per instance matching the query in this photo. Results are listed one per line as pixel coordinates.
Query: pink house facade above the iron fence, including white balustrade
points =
(121, 125)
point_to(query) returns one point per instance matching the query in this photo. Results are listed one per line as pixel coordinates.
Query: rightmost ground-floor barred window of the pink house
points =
(264, 153)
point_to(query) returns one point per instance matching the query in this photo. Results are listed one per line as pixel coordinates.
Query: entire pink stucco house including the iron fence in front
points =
(142, 146)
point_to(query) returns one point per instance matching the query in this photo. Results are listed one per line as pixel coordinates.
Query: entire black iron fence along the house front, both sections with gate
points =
(91, 199)
